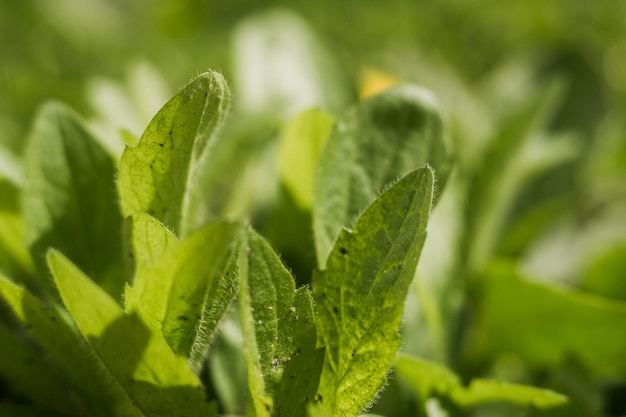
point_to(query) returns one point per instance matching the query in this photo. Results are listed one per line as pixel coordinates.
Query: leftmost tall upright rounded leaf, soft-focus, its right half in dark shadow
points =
(69, 201)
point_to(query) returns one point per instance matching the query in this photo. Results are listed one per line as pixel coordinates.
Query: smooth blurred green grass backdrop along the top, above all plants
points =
(55, 49)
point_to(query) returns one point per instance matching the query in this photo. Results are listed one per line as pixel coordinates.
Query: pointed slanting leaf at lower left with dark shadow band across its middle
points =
(158, 382)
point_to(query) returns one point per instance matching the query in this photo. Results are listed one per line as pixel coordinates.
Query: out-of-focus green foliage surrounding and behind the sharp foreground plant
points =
(534, 94)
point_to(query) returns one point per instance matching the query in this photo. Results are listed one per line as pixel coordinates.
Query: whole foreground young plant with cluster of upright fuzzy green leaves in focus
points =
(138, 293)
